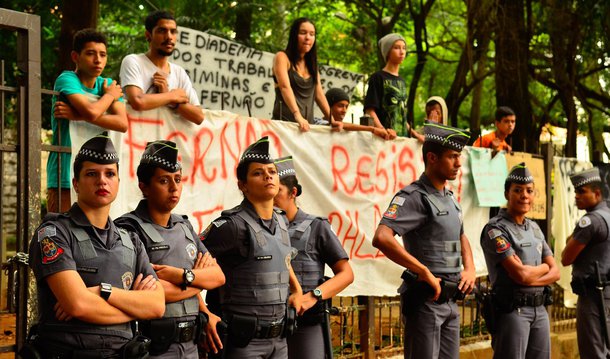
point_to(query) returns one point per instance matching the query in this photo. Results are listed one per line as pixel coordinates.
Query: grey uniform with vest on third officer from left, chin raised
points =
(254, 255)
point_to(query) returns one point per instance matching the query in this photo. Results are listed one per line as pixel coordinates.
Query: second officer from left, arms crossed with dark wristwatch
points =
(180, 259)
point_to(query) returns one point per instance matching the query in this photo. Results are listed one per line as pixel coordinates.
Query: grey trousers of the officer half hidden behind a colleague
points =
(307, 343)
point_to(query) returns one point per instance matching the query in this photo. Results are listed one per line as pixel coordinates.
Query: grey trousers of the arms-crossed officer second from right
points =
(522, 333)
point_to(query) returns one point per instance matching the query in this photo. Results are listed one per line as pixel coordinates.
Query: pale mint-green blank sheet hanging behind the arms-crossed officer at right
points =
(488, 175)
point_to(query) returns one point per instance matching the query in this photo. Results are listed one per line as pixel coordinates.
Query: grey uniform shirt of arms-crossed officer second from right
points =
(498, 244)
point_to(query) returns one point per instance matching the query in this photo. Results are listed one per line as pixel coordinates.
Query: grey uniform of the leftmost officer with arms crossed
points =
(68, 241)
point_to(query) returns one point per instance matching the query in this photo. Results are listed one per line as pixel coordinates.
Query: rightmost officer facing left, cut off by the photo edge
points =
(588, 244)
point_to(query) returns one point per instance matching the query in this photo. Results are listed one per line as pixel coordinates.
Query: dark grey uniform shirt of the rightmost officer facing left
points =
(592, 231)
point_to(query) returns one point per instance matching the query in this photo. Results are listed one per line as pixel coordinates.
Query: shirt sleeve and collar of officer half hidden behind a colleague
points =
(323, 245)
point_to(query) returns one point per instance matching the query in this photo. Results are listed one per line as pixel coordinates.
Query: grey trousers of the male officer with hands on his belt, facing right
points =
(432, 331)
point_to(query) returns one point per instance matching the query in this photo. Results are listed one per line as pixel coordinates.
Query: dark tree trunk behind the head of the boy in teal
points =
(76, 15)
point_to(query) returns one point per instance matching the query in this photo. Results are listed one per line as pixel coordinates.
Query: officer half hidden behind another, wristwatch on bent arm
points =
(318, 246)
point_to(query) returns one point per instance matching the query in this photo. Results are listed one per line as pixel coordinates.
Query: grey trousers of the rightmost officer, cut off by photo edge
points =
(588, 328)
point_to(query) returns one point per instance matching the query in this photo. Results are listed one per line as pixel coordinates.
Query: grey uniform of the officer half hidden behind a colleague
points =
(318, 245)
